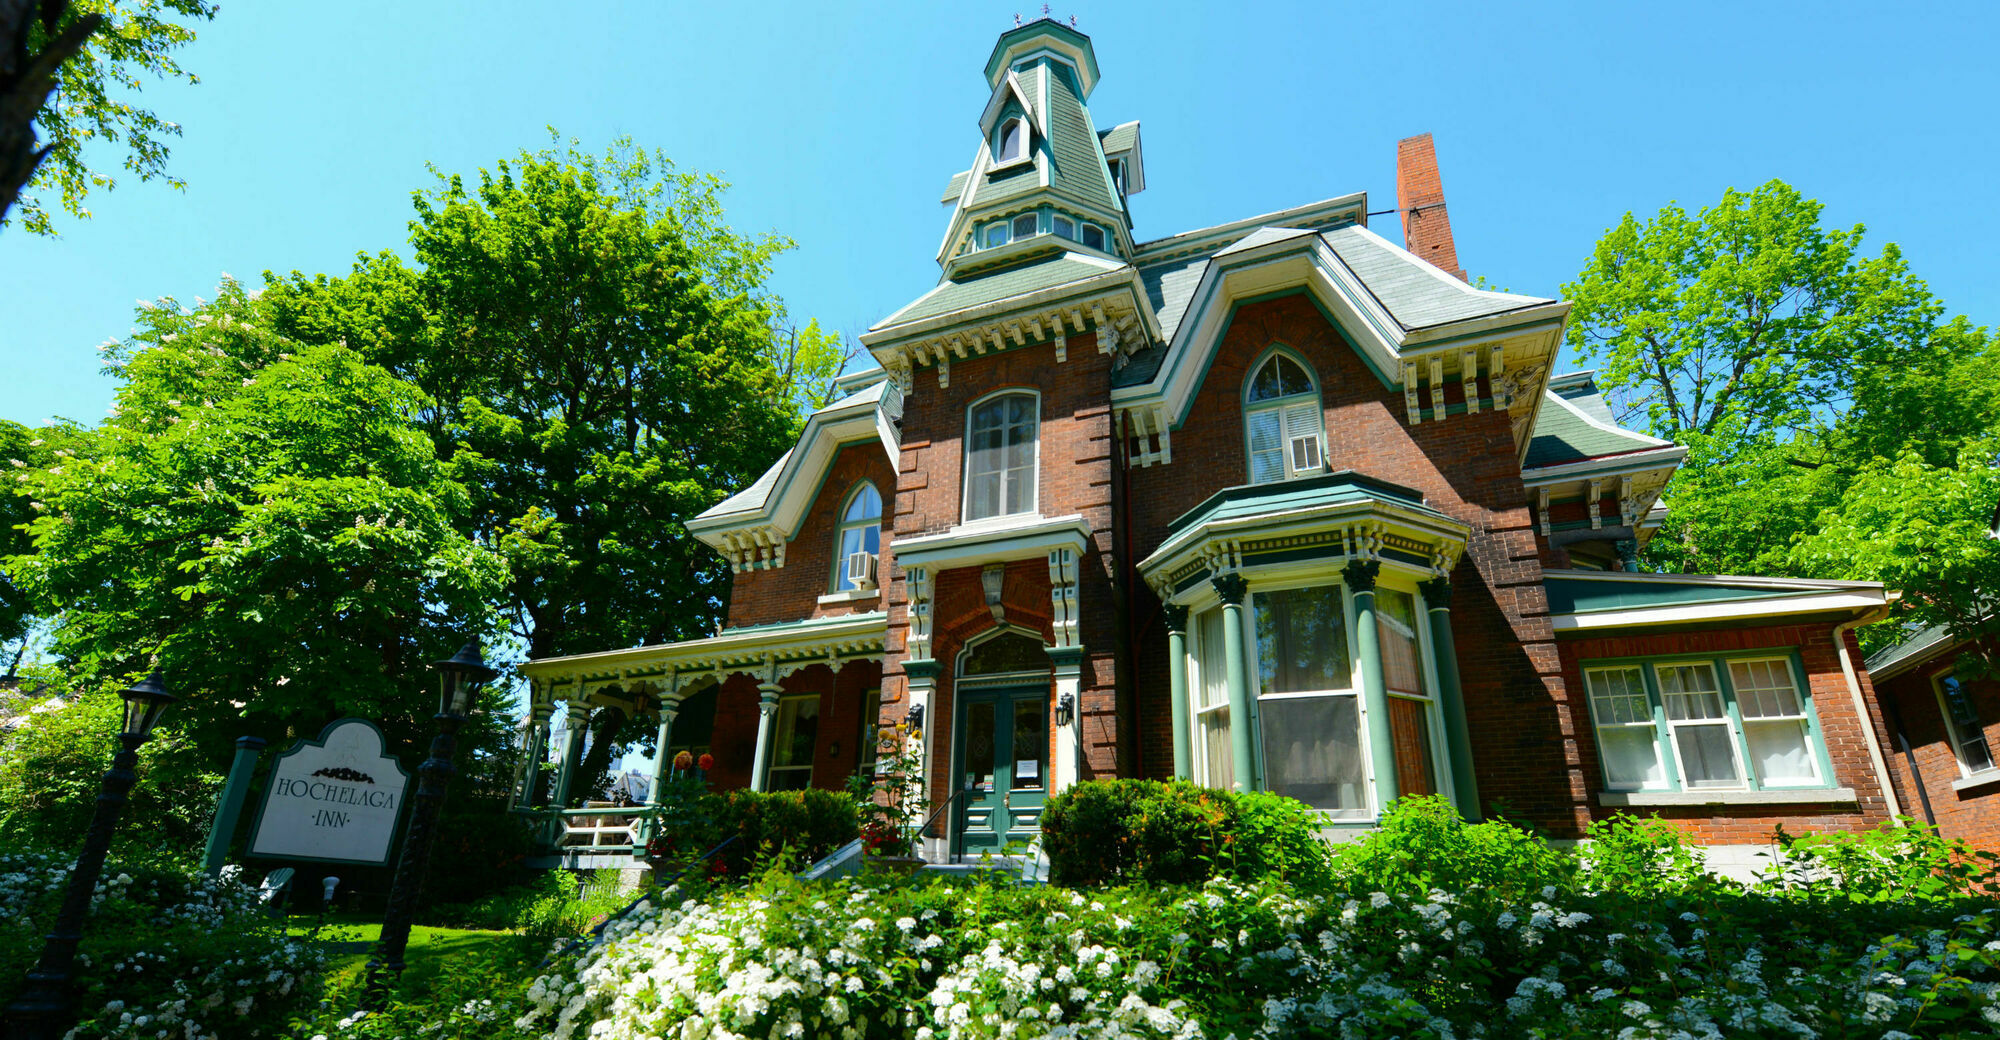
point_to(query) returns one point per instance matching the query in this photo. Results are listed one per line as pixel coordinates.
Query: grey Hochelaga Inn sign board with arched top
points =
(335, 799)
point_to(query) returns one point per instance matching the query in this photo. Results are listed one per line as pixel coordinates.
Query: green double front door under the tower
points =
(1003, 767)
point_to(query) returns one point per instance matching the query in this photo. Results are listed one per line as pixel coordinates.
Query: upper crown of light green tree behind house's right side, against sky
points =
(1745, 319)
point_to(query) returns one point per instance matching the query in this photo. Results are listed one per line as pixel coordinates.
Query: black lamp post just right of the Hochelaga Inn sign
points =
(461, 681)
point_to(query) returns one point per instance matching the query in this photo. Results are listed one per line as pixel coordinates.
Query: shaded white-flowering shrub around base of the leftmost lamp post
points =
(165, 953)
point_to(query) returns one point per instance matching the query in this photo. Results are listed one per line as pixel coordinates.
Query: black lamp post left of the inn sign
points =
(43, 1009)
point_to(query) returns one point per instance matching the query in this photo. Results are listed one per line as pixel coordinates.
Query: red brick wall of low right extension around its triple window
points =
(1831, 699)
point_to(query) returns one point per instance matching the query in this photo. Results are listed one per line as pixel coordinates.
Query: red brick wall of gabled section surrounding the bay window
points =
(1523, 733)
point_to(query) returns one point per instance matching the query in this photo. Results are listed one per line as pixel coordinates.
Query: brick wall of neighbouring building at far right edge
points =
(1971, 815)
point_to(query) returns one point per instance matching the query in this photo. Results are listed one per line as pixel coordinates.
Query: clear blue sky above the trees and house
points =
(841, 123)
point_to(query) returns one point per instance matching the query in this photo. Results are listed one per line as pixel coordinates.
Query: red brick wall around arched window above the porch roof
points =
(791, 593)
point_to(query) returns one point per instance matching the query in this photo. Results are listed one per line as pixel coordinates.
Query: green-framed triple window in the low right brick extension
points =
(1705, 725)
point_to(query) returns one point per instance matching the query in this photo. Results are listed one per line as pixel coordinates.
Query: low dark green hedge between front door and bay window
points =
(1147, 831)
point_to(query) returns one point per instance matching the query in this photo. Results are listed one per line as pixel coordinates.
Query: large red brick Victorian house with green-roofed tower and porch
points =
(1269, 505)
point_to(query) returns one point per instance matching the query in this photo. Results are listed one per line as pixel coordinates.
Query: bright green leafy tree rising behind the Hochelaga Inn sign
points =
(265, 521)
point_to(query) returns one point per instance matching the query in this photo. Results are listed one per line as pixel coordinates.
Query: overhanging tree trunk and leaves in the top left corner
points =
(69, 69)
